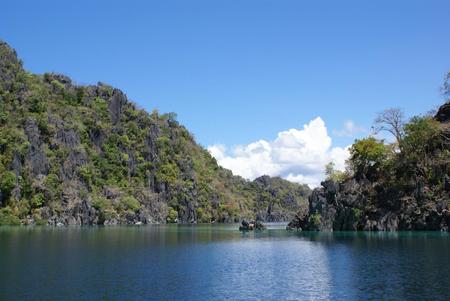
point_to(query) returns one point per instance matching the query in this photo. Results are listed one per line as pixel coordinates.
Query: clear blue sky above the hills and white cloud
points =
(236, 72)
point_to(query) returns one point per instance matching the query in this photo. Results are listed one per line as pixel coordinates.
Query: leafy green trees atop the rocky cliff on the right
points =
(423, 154)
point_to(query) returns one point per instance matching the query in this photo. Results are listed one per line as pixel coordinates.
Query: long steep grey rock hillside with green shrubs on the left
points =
(82, 155)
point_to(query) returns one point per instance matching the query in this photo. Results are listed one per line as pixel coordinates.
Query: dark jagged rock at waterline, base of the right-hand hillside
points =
(346, 207)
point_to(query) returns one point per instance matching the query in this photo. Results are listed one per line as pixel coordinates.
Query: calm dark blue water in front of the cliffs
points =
(169, 262)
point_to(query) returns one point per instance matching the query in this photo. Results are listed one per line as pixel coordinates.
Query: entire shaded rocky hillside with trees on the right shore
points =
(389, 187)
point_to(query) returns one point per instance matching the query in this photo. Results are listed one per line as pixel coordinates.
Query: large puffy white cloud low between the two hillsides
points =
(298, 155)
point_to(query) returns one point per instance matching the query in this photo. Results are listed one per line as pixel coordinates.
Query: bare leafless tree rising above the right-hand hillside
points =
(392, 121)
